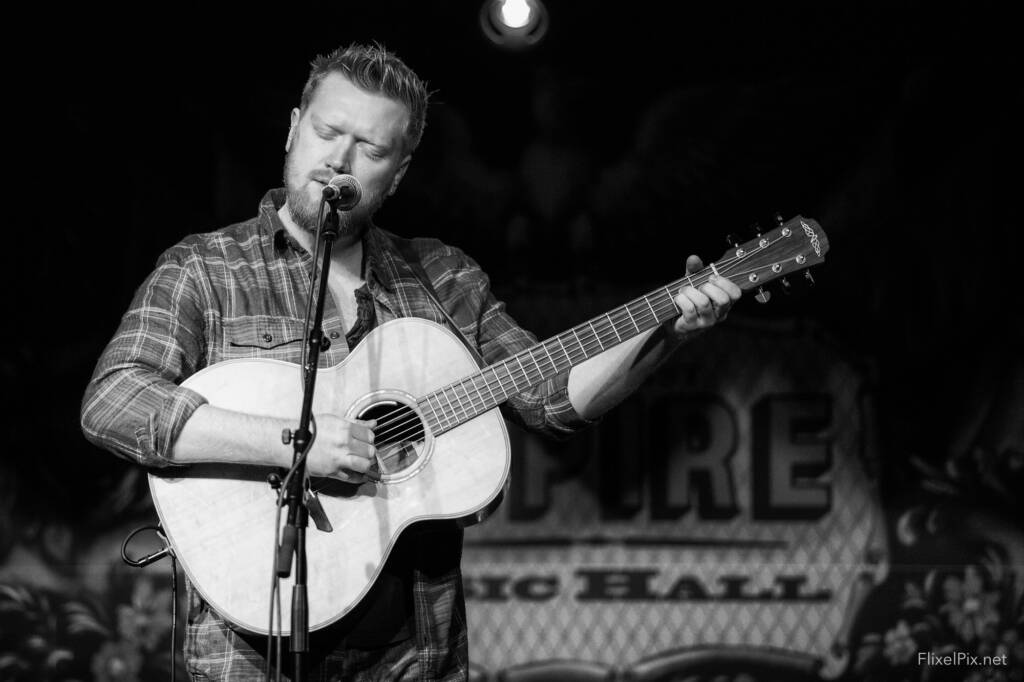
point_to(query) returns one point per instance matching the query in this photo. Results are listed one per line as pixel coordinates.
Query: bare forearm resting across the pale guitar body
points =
(216, 435)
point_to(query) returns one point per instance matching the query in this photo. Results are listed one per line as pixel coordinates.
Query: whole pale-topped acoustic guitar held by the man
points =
(443, 447)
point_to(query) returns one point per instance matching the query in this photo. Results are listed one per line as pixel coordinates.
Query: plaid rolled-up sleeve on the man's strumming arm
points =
(135, 405)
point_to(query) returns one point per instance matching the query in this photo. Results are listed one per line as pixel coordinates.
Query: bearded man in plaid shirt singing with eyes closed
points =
(242, 292)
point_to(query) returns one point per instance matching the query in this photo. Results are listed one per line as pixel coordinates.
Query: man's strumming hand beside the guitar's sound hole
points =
(345, 450)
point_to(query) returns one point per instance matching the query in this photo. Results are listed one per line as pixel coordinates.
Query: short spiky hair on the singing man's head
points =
(376, 70)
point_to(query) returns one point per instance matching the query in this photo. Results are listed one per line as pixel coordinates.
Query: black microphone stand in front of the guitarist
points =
(293, 540)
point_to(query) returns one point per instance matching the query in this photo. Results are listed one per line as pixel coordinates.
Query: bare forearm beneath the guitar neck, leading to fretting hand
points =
(603, 382)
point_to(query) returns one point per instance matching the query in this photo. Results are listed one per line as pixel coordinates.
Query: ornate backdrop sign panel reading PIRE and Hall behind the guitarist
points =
(727, 504)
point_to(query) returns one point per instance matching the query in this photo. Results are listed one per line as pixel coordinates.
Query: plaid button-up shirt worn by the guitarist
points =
(241, 292)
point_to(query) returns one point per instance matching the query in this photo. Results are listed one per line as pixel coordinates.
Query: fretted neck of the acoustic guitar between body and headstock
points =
(461, 402)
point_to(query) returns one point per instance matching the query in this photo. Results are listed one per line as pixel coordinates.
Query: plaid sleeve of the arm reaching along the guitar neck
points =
(545, 408)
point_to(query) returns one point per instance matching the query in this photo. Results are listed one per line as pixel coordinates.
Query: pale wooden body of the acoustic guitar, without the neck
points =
(220, 519)
